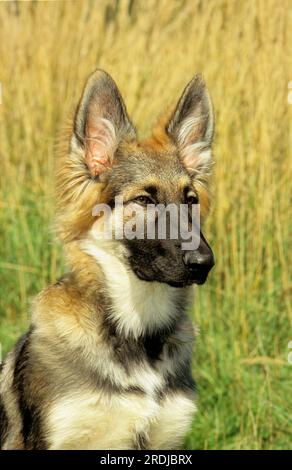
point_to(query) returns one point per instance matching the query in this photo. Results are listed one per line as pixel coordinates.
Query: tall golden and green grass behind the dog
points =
(152, 49)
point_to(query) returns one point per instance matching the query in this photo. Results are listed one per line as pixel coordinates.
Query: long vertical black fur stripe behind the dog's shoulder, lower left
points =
(31, 421)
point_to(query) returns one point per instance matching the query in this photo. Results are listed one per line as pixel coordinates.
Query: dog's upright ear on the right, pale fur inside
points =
(191, 127)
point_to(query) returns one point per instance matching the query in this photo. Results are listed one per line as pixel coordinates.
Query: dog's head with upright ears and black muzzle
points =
(106, 163)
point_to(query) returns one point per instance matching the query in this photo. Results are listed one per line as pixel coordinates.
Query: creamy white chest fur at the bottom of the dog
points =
(92, 421)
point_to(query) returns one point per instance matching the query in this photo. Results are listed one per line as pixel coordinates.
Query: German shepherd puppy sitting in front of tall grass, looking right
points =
(106, 363)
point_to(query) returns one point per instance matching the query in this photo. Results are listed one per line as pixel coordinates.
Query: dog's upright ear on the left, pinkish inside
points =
(101, 122)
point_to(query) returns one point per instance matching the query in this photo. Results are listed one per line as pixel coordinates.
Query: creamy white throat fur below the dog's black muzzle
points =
(137, 307)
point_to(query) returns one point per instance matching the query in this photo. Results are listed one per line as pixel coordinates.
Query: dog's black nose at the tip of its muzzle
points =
(199, 262)
